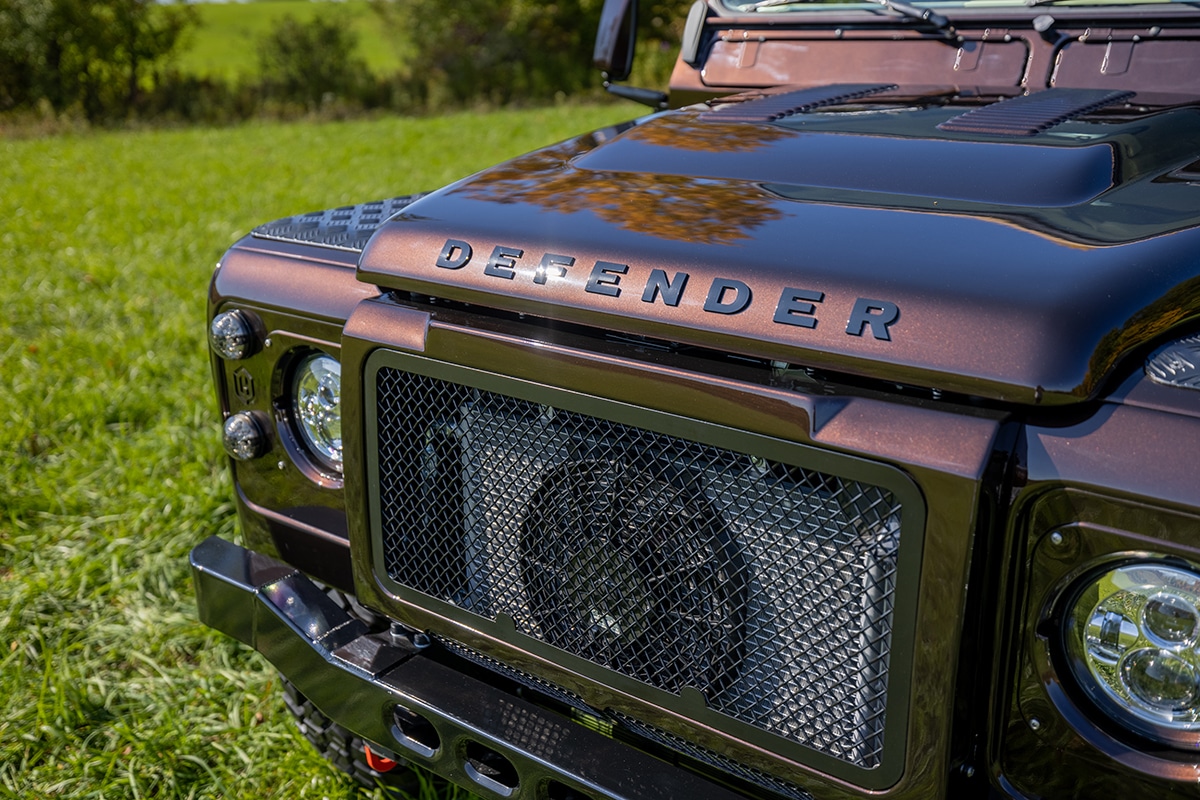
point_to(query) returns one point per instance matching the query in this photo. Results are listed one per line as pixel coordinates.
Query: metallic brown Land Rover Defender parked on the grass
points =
(830, 431)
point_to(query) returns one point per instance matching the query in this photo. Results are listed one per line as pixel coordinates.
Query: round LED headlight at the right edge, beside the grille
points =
(1133, 641)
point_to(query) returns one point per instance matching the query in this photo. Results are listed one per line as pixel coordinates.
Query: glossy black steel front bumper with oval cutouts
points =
(393, 694)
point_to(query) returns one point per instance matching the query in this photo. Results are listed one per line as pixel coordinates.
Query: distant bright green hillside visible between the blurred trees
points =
(226, 44)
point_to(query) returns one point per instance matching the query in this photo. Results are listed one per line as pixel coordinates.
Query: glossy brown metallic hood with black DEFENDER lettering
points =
(1017, 268)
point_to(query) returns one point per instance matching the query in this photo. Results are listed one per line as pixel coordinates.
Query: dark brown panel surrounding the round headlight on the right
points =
(1072, 536)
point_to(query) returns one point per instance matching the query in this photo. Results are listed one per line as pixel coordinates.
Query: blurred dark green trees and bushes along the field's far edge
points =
(110, 61)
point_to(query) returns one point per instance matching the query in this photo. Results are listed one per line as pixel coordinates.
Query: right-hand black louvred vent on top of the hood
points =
(1031, 115)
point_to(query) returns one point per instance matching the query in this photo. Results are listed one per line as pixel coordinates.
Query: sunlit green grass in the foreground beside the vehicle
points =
(111, 467)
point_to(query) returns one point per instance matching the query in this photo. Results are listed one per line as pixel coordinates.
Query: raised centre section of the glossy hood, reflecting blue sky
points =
(995, 173)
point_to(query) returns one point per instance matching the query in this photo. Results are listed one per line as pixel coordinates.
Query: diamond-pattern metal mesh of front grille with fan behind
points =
(766, 587)
